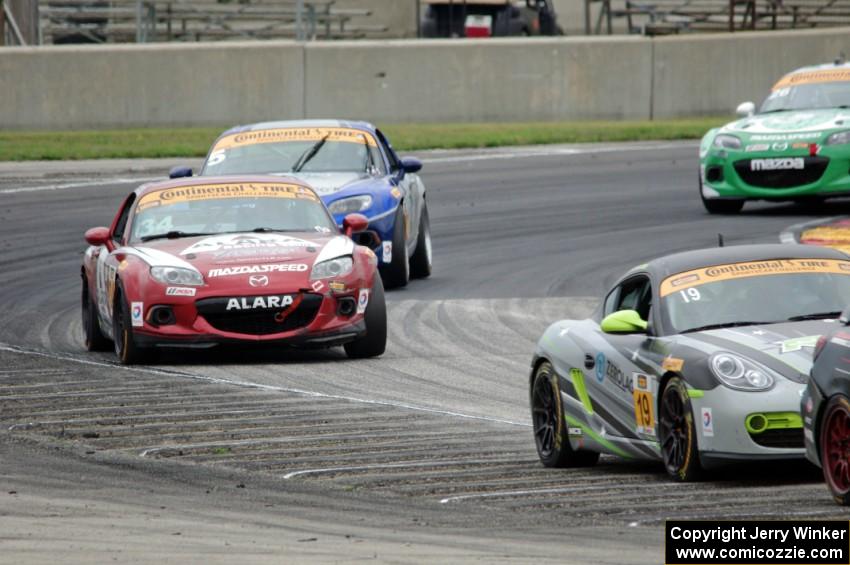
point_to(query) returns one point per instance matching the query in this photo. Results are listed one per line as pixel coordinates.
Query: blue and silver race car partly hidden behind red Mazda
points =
(353, 168)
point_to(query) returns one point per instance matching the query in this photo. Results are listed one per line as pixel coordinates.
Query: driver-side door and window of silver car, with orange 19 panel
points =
(623, 384)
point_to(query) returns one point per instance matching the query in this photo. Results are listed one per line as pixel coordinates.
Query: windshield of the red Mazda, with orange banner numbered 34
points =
(229, 208)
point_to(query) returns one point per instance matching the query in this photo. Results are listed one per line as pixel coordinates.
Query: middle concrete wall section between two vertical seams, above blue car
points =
(442, 80)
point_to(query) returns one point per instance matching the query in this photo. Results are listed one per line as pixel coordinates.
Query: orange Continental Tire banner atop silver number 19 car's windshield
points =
(715, 273)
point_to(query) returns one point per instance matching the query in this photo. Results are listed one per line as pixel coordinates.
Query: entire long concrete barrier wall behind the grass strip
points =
(537, 79)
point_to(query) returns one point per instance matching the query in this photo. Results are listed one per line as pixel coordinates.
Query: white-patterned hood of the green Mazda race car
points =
(786, 126)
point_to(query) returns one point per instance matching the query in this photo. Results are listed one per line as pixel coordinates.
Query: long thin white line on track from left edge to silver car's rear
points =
(258, 386)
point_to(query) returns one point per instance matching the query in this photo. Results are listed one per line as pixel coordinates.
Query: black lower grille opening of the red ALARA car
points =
(260, 321)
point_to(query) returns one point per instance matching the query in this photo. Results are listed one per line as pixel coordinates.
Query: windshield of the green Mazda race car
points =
(810, 90)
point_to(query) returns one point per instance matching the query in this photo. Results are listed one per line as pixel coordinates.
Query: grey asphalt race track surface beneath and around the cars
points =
(423, 454)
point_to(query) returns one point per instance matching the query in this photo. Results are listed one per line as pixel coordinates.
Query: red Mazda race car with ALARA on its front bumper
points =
(198, 262)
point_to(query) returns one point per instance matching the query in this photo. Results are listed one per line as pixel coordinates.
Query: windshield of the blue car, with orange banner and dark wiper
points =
(288, 150)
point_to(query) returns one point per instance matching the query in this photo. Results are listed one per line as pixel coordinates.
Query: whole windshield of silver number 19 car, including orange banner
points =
(757, 292)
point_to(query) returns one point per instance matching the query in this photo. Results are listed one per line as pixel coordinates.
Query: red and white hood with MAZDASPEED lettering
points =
(230, 255)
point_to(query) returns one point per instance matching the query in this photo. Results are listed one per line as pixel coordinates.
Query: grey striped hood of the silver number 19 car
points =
(785, 348)
